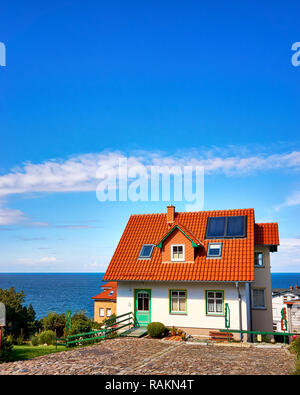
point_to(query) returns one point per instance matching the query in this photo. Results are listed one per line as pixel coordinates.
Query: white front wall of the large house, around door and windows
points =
(196, 314)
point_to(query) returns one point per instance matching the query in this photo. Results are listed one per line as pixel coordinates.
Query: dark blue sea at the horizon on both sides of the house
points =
(73, 291)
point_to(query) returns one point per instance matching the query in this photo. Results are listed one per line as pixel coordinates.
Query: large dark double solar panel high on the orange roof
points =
(222, 227)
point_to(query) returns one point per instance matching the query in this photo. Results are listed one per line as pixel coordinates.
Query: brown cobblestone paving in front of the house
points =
(150, 356)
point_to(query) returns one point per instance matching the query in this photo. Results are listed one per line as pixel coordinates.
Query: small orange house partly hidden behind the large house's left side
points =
(105, 302)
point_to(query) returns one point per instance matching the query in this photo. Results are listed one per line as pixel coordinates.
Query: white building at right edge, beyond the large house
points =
(280, 297)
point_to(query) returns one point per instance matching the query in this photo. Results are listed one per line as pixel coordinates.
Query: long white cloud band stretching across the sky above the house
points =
(79, 173)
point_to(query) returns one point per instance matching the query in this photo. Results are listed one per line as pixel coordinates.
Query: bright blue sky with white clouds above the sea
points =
(193, 82)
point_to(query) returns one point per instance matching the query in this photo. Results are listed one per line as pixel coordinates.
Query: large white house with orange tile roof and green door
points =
(182, 268)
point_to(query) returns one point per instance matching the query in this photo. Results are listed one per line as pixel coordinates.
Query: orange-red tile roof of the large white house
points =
(236, 264)
